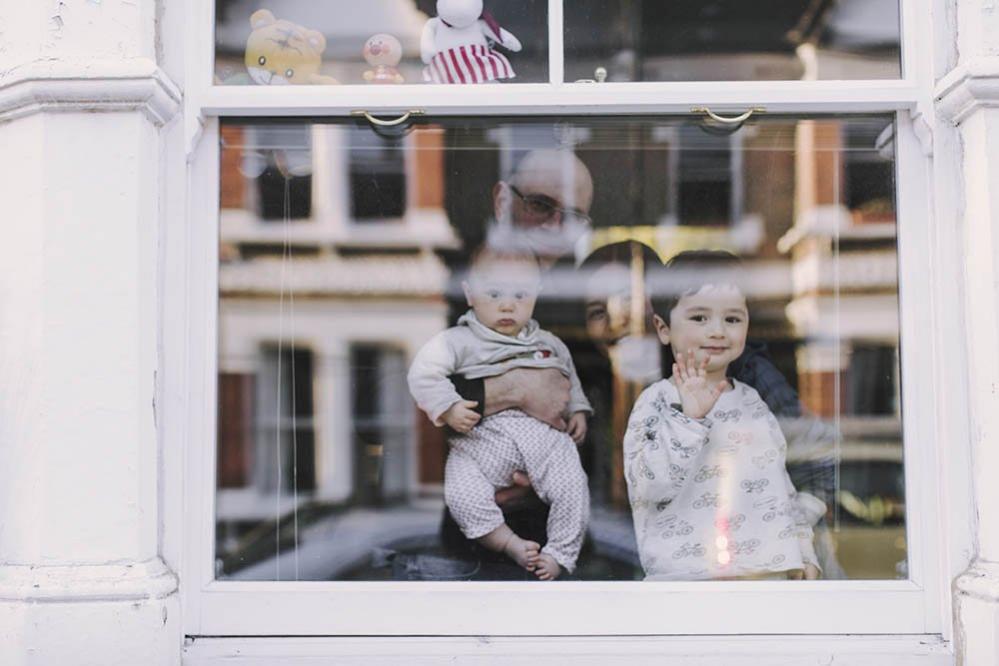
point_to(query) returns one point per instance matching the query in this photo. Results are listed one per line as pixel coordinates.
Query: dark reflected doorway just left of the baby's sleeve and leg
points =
(382, 421)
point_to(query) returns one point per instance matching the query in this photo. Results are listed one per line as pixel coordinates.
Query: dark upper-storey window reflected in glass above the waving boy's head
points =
(705, 179)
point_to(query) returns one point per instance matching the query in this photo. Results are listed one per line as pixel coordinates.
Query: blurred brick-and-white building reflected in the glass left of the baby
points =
(327, 288)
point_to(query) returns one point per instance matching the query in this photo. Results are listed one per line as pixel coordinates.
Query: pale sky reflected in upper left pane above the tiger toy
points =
(344, 29)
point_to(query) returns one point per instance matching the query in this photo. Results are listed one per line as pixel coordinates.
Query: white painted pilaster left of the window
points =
(82, 104)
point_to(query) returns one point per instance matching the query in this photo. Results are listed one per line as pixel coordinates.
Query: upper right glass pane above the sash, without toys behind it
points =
(717, 40)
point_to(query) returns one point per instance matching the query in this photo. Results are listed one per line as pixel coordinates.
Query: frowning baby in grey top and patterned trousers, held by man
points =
(498, 334)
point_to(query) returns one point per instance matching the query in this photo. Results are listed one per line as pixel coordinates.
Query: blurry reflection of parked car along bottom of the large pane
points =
(393, 543)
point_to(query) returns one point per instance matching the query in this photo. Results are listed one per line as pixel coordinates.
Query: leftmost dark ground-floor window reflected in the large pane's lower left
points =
(284, 419)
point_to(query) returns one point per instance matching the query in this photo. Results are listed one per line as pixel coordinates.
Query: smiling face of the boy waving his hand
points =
(713, 323)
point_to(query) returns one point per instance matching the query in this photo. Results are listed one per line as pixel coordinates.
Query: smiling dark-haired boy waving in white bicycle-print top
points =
(704, 456)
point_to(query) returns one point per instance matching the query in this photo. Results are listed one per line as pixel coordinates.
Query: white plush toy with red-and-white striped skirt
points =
(457, 45)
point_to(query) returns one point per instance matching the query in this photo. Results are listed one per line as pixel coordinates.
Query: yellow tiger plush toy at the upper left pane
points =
(280, 52)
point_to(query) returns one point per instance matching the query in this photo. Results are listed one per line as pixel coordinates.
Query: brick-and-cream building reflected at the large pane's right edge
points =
(844, 273)
